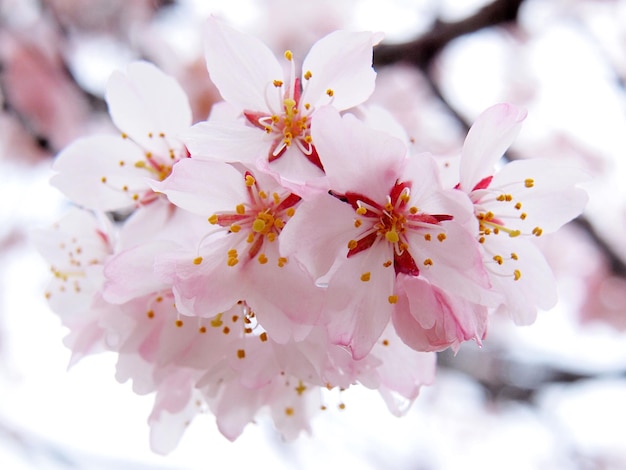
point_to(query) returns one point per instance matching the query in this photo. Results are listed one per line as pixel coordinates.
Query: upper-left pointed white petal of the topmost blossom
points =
(240, 65)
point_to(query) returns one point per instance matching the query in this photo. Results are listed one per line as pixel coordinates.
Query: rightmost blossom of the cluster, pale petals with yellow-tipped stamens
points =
(522, 200)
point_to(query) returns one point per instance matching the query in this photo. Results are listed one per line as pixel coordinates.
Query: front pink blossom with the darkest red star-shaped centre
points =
(386, 217)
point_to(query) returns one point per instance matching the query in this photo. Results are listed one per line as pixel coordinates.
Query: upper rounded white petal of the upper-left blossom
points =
(145, 102)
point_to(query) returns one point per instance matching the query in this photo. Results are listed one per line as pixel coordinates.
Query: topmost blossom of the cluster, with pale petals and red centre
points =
(273, 107)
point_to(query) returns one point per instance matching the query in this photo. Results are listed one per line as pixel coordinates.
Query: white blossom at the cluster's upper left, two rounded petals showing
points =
(108, 172)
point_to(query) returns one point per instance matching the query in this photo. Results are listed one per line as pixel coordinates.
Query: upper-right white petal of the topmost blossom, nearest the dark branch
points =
(341, 62)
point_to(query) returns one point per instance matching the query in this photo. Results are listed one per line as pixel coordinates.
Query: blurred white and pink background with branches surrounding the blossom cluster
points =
(552, 395)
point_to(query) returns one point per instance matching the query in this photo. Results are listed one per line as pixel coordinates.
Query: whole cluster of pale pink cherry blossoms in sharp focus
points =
(292, 243)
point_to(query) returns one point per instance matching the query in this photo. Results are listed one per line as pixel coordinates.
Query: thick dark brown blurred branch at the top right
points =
(422, 50)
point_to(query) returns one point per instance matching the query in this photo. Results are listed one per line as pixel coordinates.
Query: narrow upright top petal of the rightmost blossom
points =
(487, 140)
